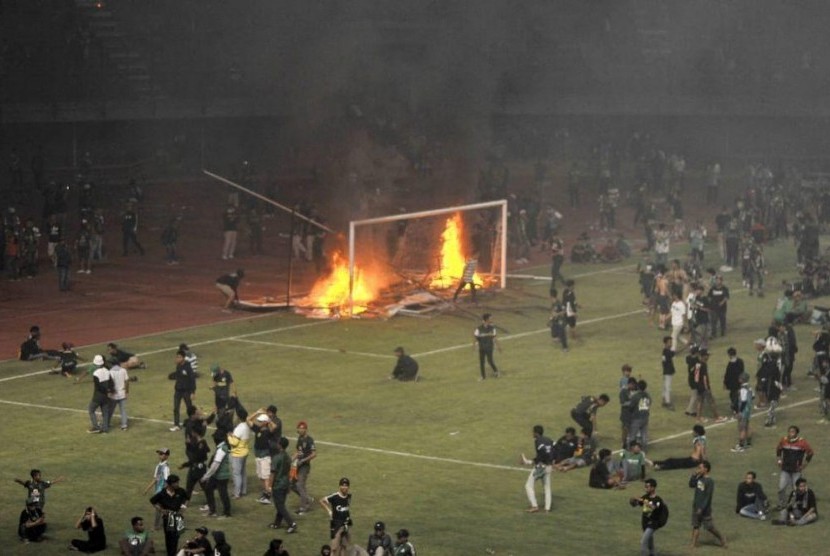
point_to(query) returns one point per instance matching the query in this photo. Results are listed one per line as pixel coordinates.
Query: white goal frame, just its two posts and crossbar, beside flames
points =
(499, 252)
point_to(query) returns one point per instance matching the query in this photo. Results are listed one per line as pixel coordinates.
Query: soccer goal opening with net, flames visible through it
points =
(428, 249)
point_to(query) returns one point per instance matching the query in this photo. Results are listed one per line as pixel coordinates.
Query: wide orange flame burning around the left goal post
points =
(333, 290)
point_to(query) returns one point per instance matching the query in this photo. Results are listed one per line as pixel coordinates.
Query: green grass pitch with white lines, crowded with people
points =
(439, 457)
